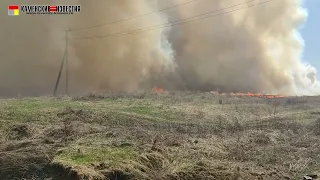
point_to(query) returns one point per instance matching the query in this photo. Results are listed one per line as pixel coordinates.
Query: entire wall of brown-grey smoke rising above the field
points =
(255, 49)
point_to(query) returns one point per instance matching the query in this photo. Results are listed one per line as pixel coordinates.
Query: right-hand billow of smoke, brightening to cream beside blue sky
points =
(255, 50)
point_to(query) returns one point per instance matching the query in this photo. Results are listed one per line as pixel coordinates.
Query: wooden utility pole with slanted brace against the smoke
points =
(65, 59)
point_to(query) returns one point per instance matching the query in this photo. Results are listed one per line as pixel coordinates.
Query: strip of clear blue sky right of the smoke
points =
(310, 33)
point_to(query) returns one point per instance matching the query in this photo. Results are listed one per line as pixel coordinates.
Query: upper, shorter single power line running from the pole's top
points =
(134, 17)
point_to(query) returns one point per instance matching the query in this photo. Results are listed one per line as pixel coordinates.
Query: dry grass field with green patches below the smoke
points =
(147, 136)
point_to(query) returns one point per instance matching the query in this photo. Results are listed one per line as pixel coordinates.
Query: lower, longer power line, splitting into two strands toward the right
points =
(178, 22)
